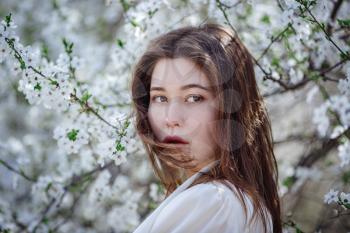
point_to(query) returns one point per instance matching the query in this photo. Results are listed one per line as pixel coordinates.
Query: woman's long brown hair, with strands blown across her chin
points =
(243, 131)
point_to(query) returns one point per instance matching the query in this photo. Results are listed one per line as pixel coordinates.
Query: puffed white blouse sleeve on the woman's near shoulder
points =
(203, 208)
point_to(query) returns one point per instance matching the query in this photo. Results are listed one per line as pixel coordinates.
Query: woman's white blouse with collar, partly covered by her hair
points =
(203, 208)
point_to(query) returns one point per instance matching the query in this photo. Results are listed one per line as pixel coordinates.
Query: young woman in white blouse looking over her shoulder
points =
(207, 133)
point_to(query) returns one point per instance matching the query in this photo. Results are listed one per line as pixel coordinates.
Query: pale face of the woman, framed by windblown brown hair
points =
(181, 104)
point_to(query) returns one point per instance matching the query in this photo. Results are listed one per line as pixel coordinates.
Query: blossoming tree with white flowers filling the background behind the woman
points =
(70, 160)
